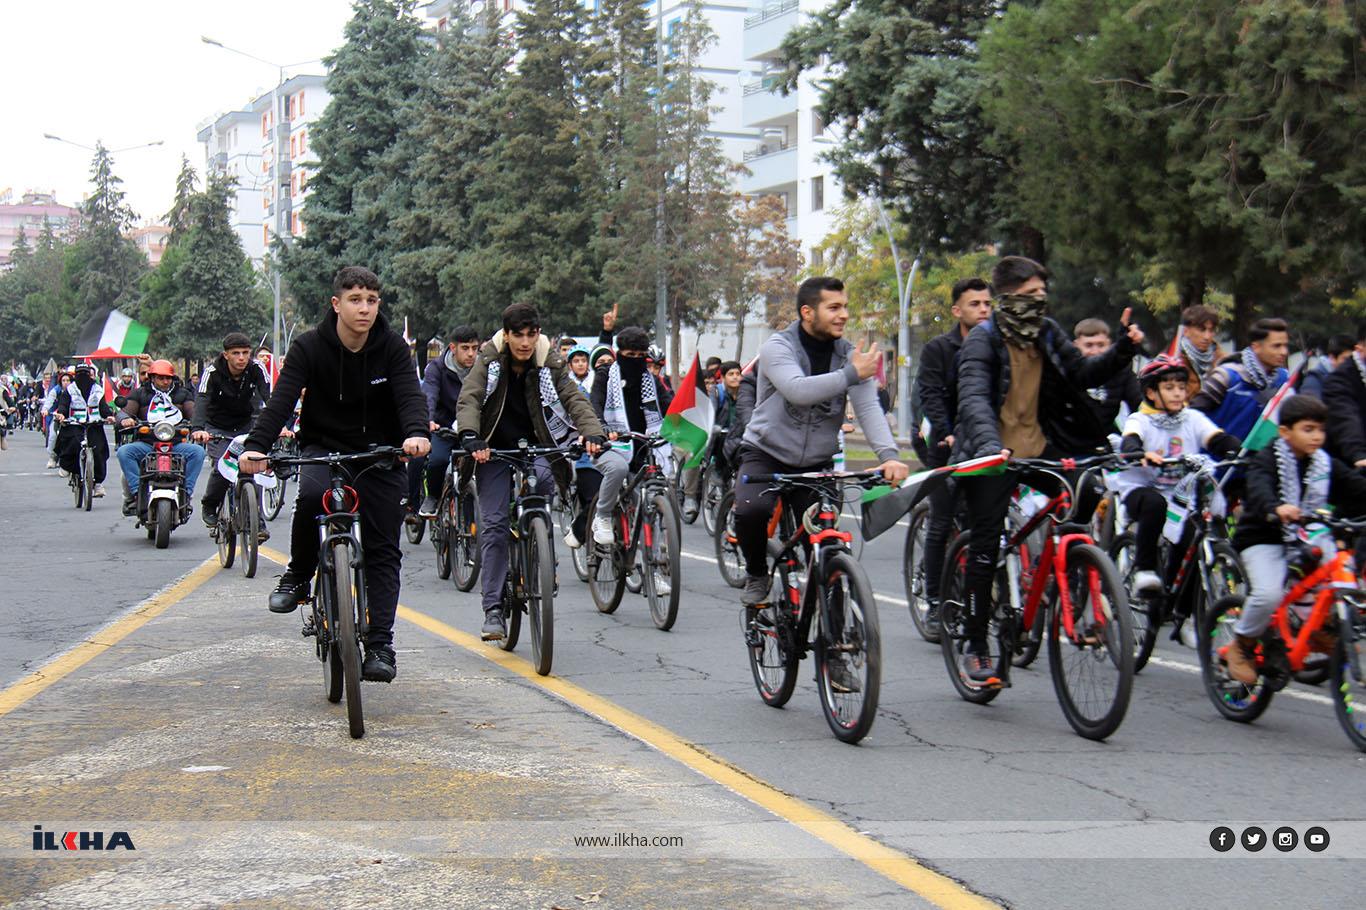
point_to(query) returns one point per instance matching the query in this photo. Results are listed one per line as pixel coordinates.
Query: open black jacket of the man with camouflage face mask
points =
(1065, 413)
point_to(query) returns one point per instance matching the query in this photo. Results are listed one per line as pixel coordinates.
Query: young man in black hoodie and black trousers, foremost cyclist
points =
(363, 391)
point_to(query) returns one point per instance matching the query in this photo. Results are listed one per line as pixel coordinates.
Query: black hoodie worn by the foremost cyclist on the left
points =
(354, 400)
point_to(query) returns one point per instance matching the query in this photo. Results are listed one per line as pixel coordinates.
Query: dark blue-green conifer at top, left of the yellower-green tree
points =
(905, 89)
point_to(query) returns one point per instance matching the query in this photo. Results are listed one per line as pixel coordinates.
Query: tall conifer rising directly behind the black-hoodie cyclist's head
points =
(372, 79)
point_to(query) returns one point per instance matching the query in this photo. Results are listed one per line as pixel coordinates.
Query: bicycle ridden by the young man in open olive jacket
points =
(531, 583)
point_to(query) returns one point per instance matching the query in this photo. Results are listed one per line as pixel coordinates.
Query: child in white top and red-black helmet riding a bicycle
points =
(1162, 428)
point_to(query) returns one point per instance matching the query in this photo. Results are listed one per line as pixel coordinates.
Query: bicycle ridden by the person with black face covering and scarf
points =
(645, 525)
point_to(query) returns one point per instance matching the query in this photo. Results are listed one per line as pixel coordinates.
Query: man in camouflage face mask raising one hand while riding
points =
(1021, 393)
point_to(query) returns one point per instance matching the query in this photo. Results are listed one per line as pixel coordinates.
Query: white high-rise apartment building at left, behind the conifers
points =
(267, 152)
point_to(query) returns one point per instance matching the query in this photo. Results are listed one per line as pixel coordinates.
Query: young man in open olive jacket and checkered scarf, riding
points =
(518, 390)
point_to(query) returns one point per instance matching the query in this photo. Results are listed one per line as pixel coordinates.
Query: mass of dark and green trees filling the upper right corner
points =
(1165, 154)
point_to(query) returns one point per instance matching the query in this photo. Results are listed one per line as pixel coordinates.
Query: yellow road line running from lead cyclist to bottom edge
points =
(939, 890)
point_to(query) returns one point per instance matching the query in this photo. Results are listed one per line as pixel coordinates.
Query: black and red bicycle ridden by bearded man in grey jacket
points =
(833, 613)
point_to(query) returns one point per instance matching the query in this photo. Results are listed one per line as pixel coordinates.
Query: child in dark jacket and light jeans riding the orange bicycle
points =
(1287, 483)
